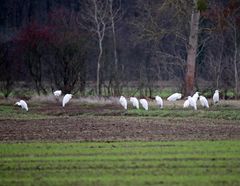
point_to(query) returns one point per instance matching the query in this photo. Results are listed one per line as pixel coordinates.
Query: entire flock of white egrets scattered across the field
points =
(190, 102)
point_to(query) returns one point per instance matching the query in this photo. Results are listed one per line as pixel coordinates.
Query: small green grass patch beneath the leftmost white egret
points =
(12, 112)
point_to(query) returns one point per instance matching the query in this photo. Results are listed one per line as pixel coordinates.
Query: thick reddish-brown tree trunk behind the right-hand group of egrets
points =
(192, 50)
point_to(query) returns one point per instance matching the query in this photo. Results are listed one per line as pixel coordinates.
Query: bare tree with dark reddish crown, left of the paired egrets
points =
(33, 43)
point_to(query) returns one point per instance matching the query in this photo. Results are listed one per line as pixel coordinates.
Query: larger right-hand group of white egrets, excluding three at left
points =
(190, 102)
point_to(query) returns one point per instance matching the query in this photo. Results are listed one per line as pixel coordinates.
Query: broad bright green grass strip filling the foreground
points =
(121, 163)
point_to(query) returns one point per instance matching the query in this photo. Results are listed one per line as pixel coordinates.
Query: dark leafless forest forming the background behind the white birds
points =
(99, 47)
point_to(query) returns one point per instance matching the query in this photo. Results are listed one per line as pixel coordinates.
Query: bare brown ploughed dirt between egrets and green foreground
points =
(73, 123)
